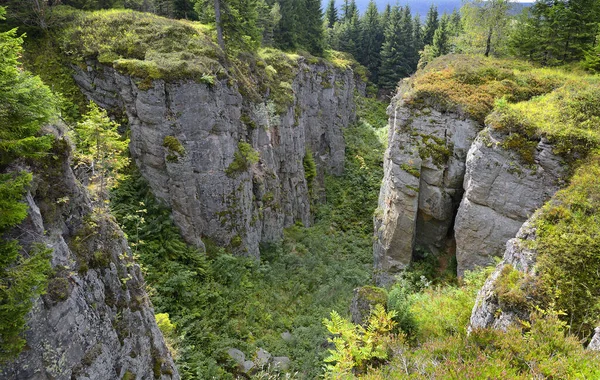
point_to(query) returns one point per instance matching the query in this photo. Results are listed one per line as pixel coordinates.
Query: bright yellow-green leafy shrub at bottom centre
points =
(357, 347)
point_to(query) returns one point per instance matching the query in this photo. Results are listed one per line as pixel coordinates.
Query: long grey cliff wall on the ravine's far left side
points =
(238, 208)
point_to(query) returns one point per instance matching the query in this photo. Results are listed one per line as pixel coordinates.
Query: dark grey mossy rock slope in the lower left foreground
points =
(95, 322)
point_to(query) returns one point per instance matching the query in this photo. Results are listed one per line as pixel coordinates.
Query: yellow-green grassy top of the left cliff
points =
(140, 44)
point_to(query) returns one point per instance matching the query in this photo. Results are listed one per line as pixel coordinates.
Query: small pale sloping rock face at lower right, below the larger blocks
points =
(487, 311)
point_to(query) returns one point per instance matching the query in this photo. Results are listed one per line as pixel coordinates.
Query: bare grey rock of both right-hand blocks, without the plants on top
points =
(450, 184)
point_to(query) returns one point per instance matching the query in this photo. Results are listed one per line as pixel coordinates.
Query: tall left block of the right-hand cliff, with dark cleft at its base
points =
(424, 167)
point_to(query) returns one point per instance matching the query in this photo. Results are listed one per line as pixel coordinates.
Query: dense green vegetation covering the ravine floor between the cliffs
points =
(217, 301)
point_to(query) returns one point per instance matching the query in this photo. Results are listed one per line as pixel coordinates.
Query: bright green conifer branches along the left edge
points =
(25, 105)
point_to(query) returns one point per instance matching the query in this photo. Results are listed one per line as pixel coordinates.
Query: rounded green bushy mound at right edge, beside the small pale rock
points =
(568, 243)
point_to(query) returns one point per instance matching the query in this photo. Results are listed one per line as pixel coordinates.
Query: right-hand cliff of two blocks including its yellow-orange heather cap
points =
(453, 182)
